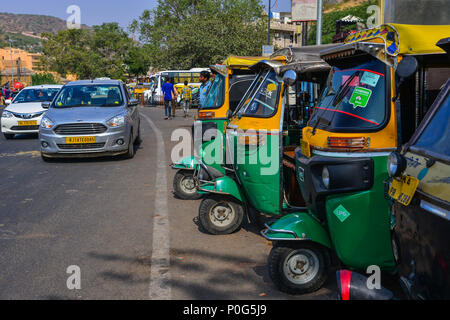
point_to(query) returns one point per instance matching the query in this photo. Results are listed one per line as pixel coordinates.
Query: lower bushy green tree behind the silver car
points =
(90, 53)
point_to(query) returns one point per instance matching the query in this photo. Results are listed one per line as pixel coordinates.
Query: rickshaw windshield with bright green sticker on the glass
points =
(355, 99)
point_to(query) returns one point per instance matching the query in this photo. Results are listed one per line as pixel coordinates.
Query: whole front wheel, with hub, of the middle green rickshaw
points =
(220, 215)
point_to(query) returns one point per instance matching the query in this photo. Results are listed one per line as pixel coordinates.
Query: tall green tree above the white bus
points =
(182, 34)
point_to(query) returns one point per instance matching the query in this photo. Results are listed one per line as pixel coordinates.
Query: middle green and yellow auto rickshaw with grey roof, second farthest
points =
(261, 139)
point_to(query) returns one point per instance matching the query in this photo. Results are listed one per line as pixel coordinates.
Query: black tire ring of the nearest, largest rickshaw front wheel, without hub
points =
(277, 259)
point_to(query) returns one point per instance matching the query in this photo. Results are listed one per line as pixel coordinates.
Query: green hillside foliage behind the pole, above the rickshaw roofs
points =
(330, 18)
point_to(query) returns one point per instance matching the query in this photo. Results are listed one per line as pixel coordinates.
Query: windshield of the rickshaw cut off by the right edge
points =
(436, 135)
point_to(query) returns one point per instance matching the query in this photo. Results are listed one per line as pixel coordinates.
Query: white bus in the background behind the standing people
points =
(155, 95)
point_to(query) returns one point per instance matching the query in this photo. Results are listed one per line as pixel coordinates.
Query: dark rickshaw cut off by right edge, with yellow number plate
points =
(420, 186)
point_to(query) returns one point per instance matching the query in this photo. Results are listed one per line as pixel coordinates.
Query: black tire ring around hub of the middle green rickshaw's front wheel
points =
(205, 219)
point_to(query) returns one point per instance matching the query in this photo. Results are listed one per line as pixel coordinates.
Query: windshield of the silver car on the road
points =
(89, 96)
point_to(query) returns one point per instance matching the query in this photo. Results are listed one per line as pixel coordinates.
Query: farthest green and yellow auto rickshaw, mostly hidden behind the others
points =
(232, 81)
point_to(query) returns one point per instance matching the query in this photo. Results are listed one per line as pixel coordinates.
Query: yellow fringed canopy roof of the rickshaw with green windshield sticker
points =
(404, 38)
